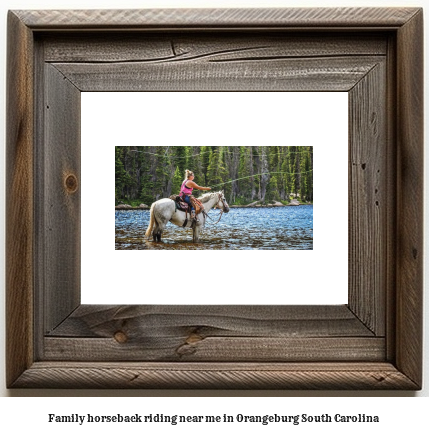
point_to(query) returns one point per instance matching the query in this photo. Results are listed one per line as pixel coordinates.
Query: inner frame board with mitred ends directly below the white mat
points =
(98, 321)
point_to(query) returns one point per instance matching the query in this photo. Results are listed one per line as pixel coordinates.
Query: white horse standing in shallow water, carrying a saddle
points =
(164, 210)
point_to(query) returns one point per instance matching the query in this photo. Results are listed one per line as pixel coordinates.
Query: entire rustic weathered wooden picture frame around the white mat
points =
(373, 342)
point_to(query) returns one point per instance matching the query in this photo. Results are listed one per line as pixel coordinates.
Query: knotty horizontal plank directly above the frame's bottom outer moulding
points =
(193, 348)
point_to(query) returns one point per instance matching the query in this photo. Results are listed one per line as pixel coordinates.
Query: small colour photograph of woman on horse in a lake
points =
(233, 198)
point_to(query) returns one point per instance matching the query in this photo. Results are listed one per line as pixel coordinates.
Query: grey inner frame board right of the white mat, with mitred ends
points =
(368, 203)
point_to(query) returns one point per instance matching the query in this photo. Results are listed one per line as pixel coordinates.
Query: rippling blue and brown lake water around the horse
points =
(274, 228)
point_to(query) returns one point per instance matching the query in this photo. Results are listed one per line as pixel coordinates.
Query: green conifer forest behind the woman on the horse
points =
(245, 173)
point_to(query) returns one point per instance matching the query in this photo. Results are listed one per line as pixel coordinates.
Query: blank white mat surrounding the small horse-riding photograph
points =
(313, 119)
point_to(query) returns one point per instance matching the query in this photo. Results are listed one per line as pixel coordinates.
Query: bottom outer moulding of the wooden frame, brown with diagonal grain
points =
(374, 376)
